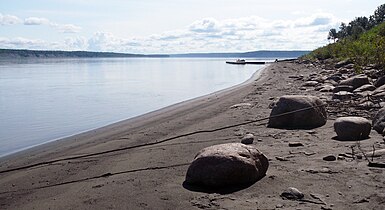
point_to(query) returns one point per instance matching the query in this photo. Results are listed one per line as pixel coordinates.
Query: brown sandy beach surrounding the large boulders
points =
(151, 177)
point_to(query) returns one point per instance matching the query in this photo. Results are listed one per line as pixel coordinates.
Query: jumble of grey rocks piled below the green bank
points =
(366, 89)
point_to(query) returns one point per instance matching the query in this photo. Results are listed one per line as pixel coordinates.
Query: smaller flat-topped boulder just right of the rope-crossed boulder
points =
(352, 128)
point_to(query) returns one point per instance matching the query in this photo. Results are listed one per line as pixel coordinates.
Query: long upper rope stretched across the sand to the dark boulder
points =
(157, 142)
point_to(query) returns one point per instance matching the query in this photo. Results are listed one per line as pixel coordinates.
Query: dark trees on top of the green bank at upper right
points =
(358, 26)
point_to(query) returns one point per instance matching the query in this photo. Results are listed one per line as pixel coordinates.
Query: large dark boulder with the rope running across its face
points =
(303, 112)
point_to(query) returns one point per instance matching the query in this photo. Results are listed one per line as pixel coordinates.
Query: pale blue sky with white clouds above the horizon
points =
(174, 26)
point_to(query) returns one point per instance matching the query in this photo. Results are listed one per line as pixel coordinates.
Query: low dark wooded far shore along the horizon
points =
(25, 54)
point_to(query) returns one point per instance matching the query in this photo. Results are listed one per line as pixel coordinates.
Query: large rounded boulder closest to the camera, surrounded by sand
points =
(227, 165)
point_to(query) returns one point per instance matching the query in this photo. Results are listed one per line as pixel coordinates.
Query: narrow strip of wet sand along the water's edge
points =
(52, 143)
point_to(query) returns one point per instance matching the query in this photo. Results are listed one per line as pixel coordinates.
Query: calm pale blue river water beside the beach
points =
(49, 99)
